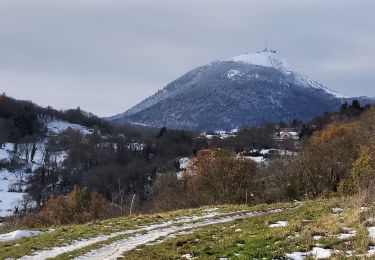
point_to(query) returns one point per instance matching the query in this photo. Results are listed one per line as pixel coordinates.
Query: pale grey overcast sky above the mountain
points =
(107, 55)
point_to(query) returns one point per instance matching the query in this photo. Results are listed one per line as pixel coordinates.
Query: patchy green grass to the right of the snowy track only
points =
(313, 224)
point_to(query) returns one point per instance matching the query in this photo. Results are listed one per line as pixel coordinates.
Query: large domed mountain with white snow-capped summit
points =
(245, 90)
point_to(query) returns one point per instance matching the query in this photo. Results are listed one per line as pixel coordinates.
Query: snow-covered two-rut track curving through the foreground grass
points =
(145, 235)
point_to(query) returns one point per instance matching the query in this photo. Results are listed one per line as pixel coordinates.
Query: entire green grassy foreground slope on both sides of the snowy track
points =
(338, 226)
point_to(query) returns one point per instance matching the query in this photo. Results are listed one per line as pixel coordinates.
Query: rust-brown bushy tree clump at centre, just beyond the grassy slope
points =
(214, 177)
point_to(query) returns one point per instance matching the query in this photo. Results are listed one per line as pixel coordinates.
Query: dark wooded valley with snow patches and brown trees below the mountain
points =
(53, 158)
